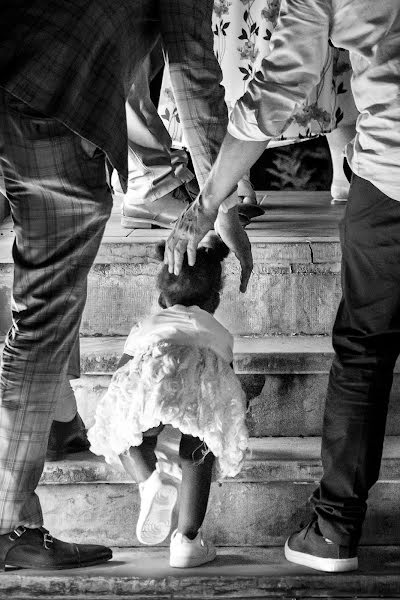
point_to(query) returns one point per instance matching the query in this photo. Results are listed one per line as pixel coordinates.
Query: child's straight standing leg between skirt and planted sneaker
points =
(196, 481)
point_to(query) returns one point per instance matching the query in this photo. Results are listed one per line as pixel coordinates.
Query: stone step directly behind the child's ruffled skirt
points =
(285, 379)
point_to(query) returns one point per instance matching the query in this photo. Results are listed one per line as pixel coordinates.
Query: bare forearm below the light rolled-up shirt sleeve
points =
(234, 159)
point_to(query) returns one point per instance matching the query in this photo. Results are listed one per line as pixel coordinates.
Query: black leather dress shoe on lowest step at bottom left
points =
(37, 549)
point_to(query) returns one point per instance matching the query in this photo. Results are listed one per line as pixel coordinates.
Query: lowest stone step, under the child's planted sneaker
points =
(237, 573)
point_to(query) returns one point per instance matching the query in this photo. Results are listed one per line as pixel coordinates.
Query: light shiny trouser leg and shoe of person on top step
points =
(157, 172)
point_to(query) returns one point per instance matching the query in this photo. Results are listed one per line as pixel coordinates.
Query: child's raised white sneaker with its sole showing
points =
(157, 501)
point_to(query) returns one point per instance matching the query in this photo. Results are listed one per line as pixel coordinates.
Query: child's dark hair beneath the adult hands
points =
(199, 285)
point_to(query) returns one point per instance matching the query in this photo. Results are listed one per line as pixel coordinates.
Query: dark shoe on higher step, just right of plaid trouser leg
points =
(67, 438)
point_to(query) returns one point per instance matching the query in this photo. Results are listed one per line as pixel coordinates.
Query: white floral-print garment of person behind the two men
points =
(242, 33)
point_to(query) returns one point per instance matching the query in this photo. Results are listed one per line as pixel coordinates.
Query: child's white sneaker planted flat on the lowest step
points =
(185, 553)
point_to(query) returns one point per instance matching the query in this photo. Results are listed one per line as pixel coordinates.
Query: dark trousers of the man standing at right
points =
(366, 339)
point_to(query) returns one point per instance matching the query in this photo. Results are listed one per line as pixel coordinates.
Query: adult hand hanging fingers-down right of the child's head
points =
(232, 233)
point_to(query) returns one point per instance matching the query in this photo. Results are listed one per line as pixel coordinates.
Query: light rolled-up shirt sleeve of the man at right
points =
(288, 74)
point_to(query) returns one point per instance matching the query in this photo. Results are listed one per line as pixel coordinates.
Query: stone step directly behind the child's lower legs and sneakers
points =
(85, 500)
